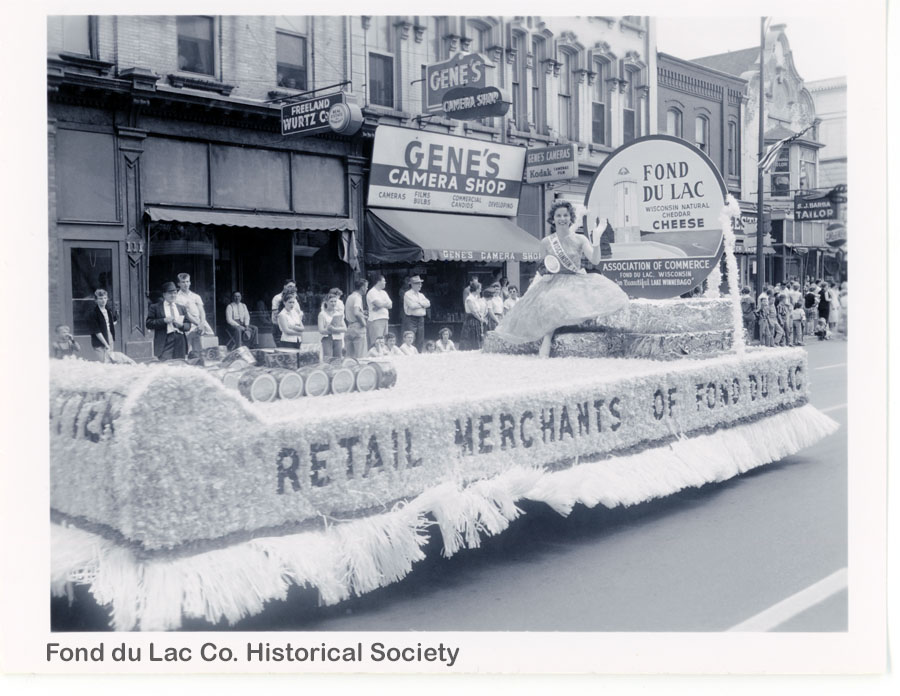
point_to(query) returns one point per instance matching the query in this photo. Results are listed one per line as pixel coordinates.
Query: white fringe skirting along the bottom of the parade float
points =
(359, 556)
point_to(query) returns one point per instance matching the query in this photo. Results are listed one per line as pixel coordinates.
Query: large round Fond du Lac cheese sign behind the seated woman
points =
(663, 199)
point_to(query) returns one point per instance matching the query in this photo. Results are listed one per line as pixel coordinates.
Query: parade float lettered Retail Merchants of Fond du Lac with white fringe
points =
(174, 495)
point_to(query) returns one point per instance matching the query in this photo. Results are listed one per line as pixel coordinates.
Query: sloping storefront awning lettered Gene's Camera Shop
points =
(408, 236)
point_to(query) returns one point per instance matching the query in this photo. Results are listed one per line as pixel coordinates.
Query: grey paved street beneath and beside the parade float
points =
(703, 560)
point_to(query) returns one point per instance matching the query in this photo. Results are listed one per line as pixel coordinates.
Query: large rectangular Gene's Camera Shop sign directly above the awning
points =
(420, 170)
